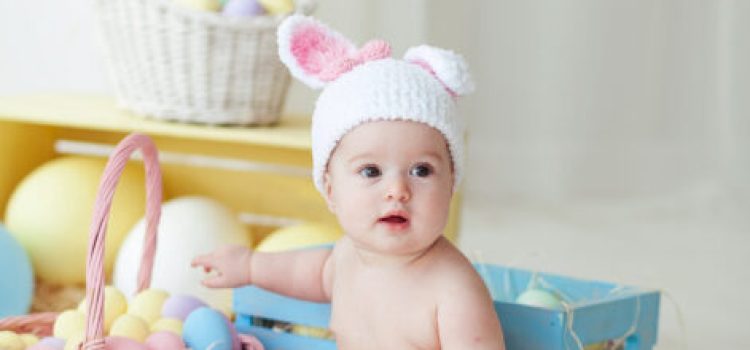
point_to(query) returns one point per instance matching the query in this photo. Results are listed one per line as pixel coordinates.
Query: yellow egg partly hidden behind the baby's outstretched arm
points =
(299, 236)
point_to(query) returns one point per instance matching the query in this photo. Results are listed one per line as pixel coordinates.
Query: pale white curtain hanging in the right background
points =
(608, 98)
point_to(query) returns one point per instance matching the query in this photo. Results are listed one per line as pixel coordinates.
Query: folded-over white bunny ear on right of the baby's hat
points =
(447, 66)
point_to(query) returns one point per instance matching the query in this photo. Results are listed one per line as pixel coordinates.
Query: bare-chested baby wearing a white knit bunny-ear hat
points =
(387, 156)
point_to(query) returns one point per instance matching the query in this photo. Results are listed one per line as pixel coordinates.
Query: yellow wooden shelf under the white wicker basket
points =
(32, 124)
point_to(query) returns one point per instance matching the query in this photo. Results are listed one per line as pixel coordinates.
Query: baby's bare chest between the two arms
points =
(383, 313)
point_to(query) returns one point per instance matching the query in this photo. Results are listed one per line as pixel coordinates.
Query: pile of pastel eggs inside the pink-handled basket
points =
(151, 320)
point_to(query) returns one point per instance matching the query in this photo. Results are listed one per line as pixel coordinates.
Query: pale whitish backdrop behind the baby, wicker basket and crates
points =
(608, 139)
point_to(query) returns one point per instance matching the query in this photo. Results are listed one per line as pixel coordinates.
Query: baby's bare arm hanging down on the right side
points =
(466, 317)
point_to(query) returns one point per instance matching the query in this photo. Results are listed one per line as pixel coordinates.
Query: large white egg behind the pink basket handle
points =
(189, 226)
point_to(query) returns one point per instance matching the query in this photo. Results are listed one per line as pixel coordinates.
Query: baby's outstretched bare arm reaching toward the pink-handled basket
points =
(304, 274)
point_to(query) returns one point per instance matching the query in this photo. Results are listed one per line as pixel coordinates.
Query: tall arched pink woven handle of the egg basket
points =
(94, 335)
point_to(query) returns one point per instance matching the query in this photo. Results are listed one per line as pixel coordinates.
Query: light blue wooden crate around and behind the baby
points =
(596, 312)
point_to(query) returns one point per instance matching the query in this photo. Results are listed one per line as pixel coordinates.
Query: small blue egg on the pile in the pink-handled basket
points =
(206, 328)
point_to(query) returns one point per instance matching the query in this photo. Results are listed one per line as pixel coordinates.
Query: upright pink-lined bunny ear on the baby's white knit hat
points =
(307, 47)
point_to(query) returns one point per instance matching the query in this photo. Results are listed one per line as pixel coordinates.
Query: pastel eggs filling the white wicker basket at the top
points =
(241, 8)
